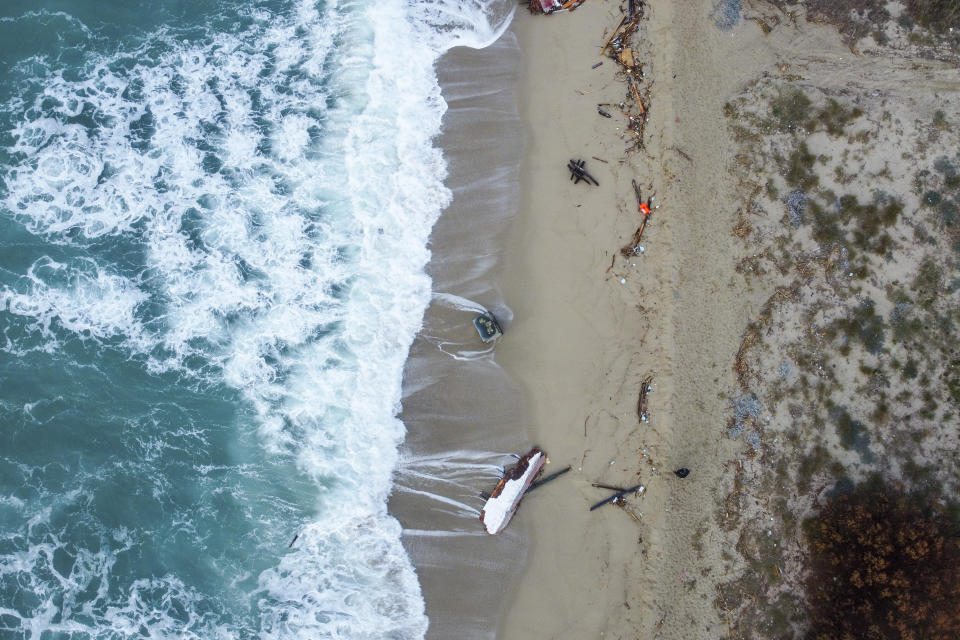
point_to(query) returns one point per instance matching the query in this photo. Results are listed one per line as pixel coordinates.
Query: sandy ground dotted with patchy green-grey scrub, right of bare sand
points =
(853, 256)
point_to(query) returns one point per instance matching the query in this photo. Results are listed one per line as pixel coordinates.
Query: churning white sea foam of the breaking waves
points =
(282, 193)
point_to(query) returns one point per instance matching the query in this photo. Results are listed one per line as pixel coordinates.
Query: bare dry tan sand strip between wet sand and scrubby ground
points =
(583, 340)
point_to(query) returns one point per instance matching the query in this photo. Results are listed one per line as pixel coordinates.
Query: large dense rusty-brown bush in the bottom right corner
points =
(884, 564)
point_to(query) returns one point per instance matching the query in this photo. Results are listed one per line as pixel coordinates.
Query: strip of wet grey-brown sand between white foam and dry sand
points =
(463, 413)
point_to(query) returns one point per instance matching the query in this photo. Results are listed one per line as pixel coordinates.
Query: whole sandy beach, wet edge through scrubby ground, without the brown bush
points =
(721, 315)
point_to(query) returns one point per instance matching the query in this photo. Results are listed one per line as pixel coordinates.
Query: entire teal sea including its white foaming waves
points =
(214, 223)
